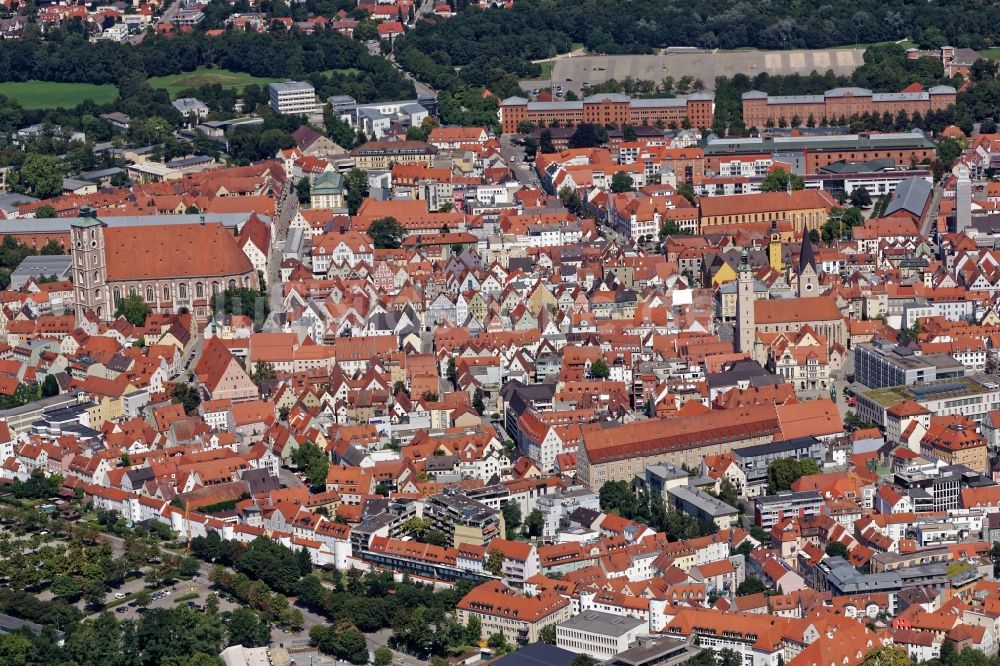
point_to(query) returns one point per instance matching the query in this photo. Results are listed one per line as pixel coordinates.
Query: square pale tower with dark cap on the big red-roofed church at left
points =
(89, 270)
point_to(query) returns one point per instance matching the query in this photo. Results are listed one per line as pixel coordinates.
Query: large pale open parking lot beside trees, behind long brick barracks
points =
(573, 72)
